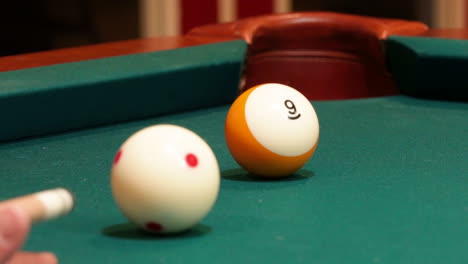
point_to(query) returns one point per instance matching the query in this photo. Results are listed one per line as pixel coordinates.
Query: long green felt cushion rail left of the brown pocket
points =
(68, 96)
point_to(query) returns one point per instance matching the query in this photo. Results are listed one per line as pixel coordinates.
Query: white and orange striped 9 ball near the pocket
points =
(272, 130)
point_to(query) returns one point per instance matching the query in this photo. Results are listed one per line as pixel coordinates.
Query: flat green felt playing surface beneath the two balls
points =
(388, 184)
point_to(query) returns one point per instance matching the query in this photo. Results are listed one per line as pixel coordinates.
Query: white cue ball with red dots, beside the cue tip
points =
(165, 178)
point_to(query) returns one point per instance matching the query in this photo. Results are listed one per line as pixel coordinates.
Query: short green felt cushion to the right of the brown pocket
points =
(429, 67)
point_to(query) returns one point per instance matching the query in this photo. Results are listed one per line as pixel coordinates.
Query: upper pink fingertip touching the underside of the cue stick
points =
(14, 227)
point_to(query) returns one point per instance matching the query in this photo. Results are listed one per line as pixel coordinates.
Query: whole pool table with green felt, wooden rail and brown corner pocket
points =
(388, 182)
